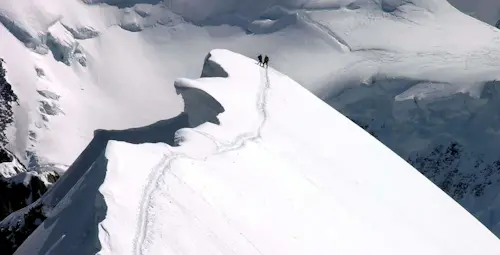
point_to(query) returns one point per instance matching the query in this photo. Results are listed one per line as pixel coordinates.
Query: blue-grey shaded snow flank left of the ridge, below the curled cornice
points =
(77, 194)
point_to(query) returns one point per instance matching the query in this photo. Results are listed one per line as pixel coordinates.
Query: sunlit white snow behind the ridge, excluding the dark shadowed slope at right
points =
(111, 64)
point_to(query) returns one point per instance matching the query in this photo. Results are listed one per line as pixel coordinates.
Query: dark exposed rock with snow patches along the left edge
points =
(20, 187)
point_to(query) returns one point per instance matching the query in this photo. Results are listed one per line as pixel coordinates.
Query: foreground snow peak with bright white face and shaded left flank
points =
(262, 166)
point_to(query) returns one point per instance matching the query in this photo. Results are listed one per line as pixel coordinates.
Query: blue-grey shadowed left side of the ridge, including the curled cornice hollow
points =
(83, 207)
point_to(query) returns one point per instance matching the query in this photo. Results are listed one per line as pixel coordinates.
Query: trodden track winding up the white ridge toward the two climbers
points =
(159, 171)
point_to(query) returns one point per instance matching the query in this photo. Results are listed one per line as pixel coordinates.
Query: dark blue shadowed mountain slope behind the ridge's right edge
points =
(451, 139)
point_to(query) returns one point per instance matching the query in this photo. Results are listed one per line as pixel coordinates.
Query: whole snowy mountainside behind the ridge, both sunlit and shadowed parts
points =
(78, 66)
